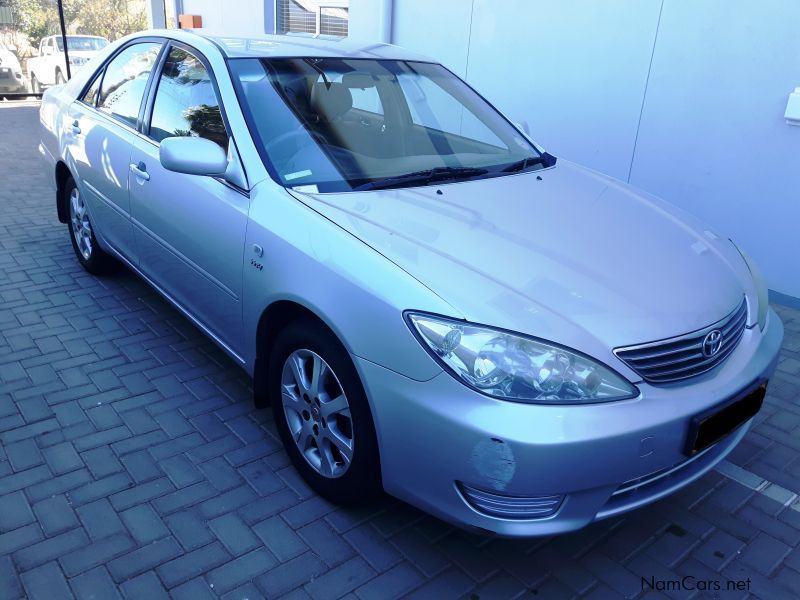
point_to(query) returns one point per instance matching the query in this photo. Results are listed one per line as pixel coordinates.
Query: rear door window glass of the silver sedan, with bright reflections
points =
(125, 79)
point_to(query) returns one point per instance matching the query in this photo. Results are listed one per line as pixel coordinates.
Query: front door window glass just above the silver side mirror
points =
(186, 103)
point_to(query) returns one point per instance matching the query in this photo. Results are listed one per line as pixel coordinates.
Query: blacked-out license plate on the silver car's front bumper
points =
(710, 427)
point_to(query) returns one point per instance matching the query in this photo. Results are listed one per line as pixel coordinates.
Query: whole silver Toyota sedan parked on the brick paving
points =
(432, 304)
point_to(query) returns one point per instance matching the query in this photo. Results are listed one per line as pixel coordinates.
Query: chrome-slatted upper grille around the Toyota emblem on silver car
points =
(683, 356)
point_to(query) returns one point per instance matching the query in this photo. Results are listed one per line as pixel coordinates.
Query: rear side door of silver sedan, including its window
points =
(103, 127)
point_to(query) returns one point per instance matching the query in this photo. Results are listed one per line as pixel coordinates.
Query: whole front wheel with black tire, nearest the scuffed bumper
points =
(322, 414)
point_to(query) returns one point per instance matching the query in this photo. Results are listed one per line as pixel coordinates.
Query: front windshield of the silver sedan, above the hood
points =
(345, 124)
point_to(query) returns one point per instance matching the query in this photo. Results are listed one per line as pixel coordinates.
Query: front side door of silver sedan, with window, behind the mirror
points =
(190, 229)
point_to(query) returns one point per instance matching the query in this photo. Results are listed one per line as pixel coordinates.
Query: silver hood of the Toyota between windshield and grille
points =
(564, 253)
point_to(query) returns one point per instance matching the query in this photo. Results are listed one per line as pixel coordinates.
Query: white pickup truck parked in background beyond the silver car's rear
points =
(50, 67)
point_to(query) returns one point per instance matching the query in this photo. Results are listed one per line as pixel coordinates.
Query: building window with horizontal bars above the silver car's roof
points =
(317, 17)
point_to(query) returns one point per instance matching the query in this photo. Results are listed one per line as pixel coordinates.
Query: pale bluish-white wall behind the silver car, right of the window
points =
(702, 126)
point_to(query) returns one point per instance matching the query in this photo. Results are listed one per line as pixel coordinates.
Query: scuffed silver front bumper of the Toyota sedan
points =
(437, 433)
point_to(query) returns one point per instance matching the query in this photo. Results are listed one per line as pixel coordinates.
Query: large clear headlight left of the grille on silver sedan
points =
(514, 367)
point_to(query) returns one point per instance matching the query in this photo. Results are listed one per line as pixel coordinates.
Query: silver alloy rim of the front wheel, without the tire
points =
(317, 413)
